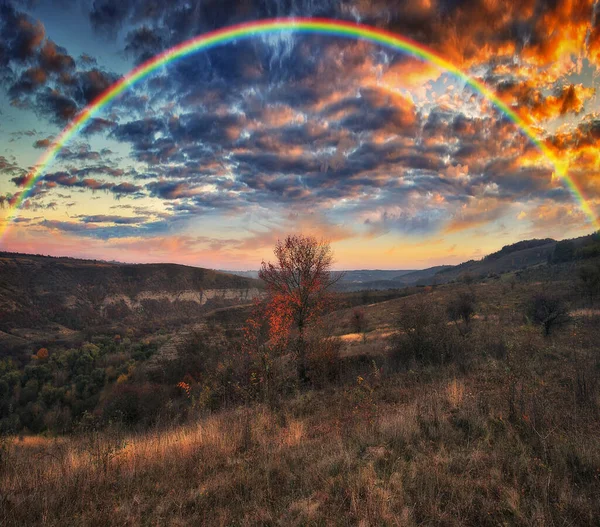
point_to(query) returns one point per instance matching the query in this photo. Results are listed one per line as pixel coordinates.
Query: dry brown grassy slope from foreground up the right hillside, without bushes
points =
(508, 435)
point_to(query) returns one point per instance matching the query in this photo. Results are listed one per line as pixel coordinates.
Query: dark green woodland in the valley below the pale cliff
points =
(55, 391)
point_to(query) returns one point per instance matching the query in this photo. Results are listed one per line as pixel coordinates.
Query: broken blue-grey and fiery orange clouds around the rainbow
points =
(297, 124)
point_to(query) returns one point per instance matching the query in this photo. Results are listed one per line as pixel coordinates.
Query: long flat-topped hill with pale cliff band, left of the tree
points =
(78, 294)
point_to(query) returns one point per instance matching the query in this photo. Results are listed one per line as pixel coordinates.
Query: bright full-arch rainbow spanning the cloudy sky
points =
(300, 25)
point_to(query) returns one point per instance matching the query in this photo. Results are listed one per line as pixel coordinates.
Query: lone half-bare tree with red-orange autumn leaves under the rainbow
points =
(298, 286)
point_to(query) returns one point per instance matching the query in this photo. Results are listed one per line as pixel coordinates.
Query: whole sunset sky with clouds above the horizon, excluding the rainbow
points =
(210, 160)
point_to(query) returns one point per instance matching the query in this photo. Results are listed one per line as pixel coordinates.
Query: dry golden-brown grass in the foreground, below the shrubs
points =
(413, 450)
